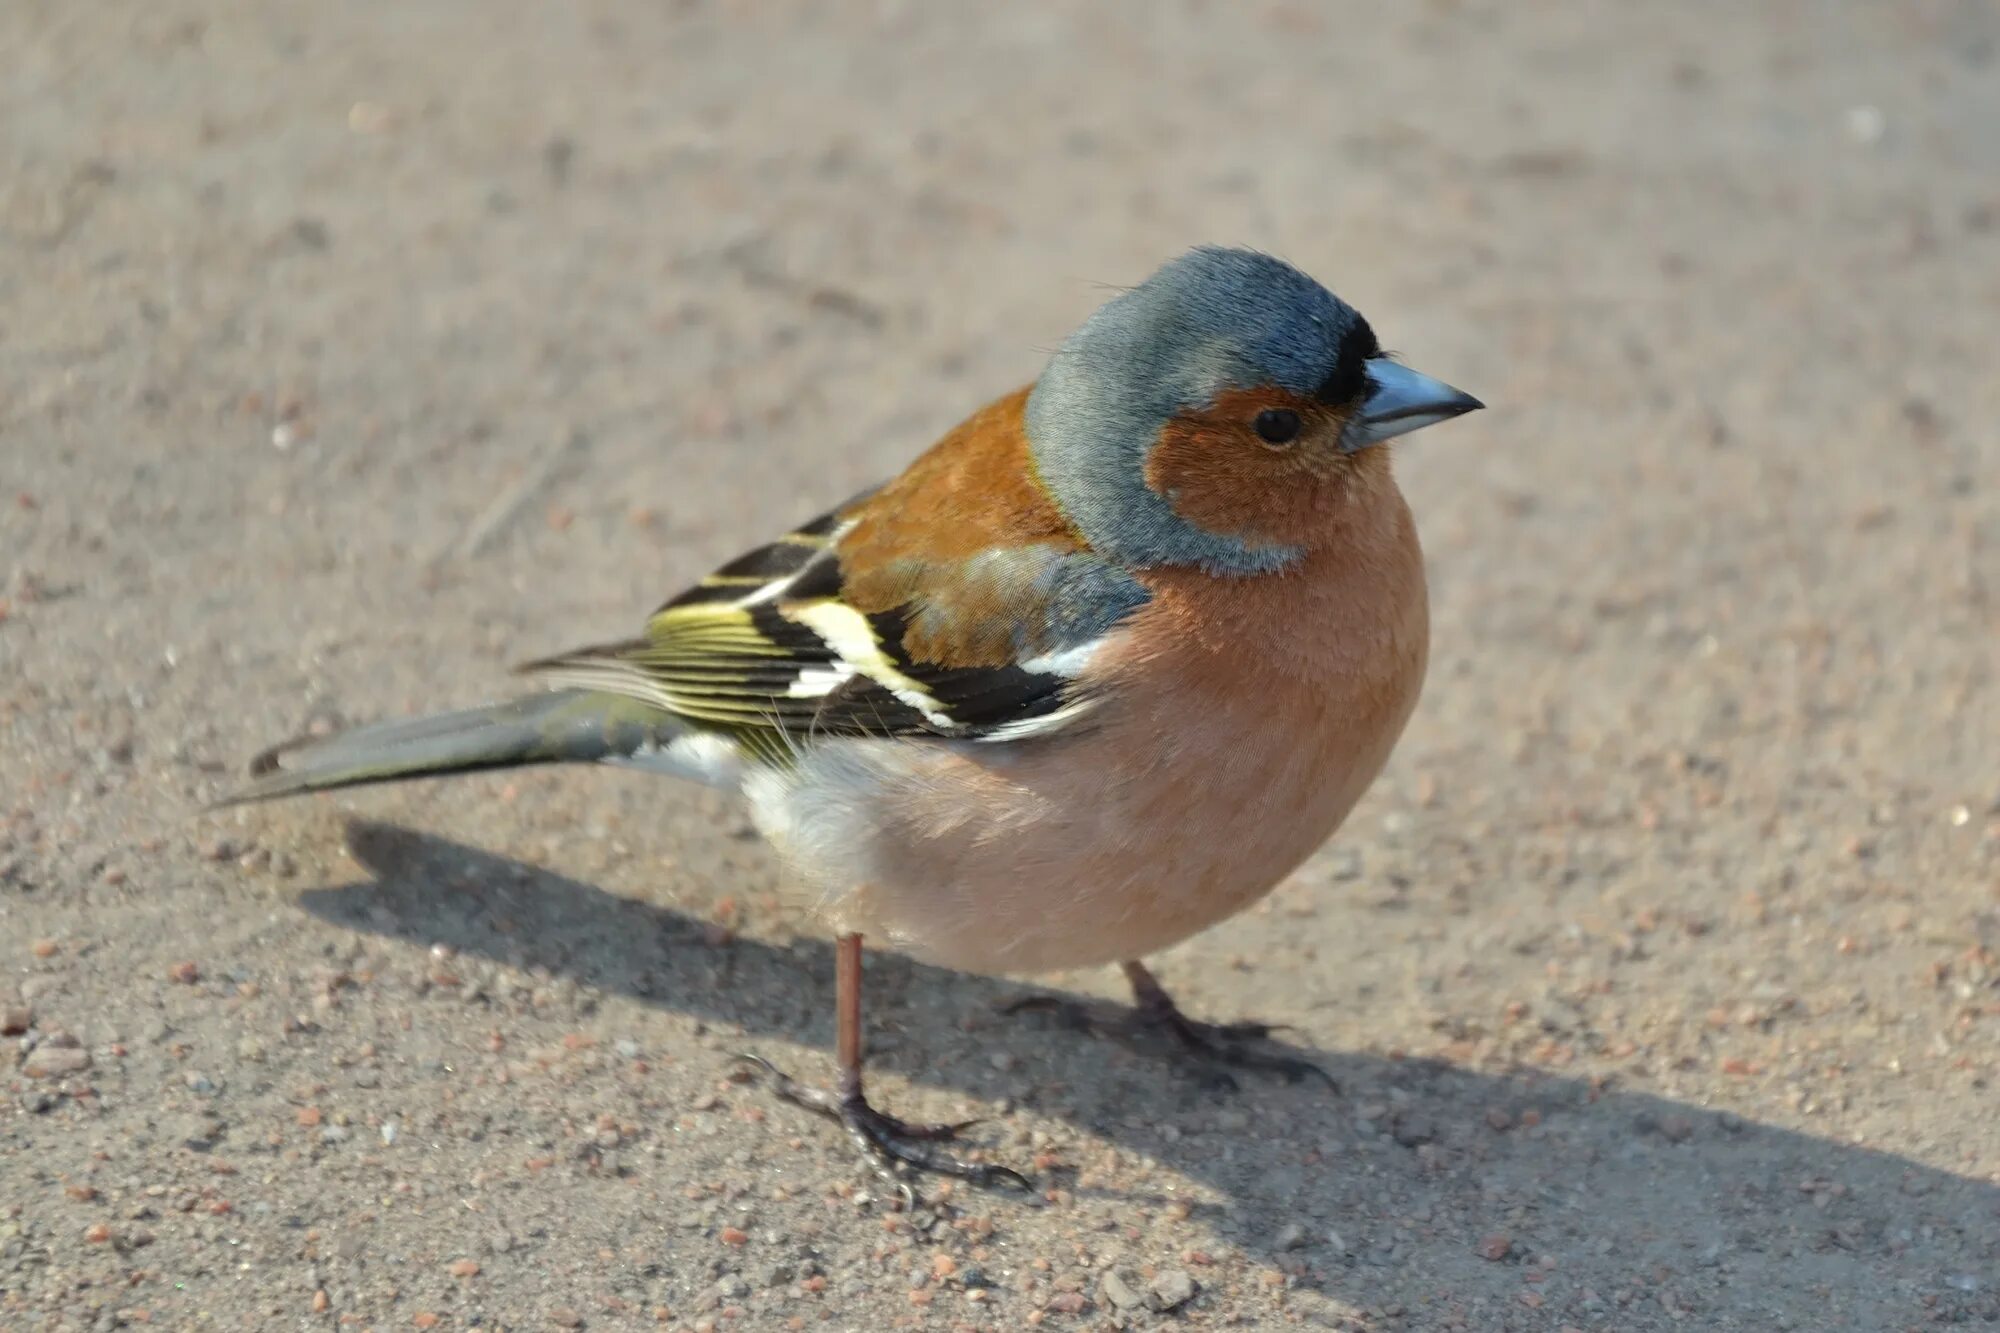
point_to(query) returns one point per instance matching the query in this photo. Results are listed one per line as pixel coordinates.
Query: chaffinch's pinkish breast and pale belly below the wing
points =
(1243, 722)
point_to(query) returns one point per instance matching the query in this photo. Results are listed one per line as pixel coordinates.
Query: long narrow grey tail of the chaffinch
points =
(539, 730)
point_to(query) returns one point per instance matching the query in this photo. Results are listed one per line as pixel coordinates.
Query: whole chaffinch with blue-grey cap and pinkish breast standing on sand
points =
(1091, 676)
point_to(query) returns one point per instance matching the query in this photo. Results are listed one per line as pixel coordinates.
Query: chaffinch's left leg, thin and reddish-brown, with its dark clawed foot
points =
(891, 1146)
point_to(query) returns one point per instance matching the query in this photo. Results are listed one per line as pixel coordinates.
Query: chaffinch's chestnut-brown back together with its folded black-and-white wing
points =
(935, 607)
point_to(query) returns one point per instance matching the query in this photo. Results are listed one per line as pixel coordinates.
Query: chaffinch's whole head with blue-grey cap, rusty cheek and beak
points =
(1219, 413)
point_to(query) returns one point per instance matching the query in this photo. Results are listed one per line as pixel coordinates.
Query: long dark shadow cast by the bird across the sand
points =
(1755, 1216)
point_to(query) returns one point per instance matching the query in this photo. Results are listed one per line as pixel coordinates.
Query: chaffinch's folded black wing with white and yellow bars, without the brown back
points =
(777, 651)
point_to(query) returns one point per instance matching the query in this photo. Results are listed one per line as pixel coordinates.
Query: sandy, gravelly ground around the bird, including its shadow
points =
(355, 351)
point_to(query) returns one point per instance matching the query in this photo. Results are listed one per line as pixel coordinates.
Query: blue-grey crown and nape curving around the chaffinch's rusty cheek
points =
(1207, 321)
